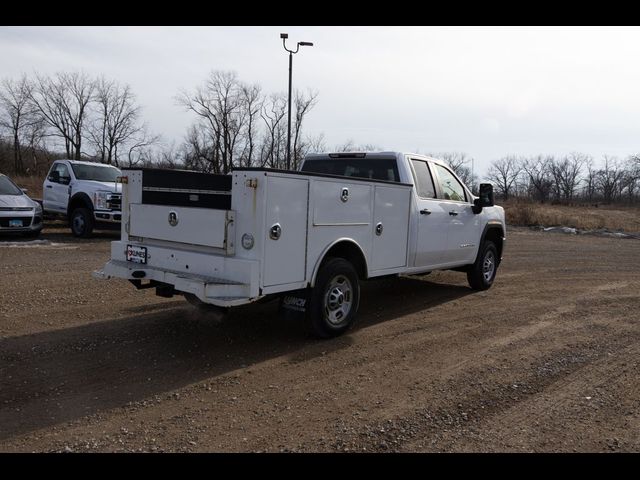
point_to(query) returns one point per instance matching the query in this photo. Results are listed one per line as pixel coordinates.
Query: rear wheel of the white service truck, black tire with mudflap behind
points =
(334, 299)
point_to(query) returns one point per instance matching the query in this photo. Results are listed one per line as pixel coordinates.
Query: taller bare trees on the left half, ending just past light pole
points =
(73, 115)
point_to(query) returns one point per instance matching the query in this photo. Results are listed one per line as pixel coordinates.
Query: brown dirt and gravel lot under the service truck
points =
(546, 360)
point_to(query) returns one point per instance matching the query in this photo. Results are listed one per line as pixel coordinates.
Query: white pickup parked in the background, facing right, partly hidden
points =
(86, 193)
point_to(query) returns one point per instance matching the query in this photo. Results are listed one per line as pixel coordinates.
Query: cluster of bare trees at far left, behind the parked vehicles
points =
(69, 115)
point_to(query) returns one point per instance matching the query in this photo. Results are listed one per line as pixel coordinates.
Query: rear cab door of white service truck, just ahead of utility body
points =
(433, 220)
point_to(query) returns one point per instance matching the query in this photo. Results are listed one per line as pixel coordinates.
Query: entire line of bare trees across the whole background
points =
(73, 115)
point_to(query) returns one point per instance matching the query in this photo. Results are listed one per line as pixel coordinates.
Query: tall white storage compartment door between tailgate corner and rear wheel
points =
(286, 214)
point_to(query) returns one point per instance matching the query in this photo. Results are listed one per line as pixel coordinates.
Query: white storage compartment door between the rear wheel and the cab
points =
(391, 211)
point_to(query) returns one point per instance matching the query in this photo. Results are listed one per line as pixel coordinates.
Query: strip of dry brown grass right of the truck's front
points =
(587, 216)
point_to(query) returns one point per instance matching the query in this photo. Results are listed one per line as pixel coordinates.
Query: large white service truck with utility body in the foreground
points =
(309, 236)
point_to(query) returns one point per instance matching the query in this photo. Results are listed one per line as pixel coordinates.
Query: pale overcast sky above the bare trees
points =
(485, 91)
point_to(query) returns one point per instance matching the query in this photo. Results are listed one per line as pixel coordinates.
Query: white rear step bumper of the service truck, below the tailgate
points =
(229, 283)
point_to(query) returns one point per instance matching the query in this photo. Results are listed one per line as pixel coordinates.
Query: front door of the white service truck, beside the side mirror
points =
(464, 226)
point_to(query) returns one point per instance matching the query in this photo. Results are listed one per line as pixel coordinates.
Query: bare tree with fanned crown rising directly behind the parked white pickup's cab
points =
(63, 102)
